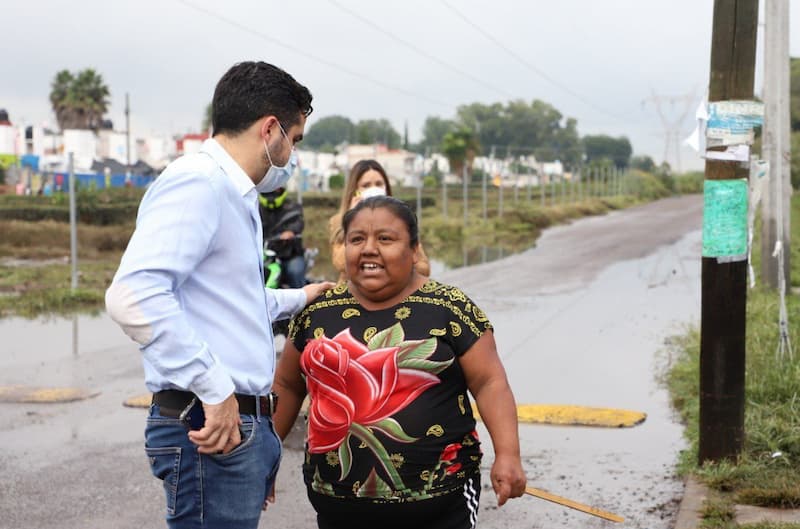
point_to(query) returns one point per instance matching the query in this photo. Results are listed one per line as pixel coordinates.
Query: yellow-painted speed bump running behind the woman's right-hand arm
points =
(576, 415)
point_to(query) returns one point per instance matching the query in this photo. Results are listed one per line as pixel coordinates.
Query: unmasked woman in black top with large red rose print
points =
(388, 360)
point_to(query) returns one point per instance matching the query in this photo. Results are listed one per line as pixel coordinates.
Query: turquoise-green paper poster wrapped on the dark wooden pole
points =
(725, 219)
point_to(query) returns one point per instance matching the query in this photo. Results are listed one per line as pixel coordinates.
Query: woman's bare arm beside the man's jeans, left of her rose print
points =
(291, 390)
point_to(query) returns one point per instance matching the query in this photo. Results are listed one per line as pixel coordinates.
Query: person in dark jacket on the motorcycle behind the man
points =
(282, 221)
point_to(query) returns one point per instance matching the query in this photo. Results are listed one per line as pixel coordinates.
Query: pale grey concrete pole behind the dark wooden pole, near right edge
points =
(776, 147)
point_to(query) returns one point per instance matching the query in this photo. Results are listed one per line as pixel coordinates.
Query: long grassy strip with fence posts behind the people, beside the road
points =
(35, 247)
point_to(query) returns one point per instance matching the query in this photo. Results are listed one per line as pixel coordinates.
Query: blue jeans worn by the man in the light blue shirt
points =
(212, 491)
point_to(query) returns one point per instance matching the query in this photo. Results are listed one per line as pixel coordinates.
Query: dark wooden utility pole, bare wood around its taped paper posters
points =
(724, 284)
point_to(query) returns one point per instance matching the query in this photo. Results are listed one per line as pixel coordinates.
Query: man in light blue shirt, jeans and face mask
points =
(190, 290)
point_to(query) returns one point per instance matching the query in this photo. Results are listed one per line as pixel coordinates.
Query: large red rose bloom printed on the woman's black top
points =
(349, 384)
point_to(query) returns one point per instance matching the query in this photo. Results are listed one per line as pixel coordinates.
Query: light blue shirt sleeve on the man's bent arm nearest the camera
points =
(175, 229)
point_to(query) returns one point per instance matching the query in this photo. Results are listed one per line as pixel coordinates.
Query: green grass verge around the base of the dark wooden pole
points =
(766, 473)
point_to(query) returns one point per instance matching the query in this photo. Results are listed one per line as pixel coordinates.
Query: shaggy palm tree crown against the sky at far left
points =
(79, 100)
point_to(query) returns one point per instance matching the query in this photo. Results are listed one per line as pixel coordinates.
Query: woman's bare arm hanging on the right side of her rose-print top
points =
(486, 380)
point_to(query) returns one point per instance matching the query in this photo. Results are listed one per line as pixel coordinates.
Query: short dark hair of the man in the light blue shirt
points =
(251, 90)
